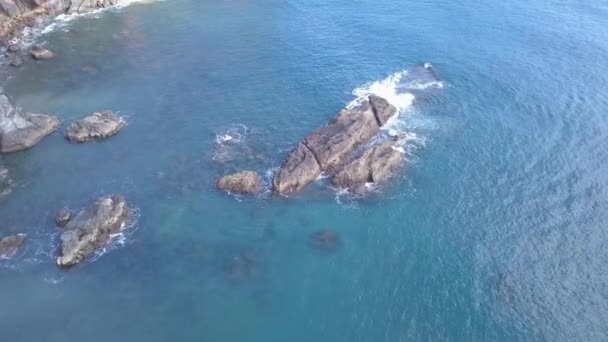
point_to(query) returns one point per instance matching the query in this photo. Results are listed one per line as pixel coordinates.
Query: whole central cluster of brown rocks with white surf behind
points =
(334, 150)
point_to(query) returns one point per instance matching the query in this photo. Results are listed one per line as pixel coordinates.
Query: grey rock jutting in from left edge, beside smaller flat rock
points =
(20, 130)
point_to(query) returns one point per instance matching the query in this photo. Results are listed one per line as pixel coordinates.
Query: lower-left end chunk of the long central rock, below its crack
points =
(299, 169)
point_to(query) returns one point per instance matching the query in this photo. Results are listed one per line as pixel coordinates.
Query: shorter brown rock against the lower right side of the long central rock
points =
(375, 165)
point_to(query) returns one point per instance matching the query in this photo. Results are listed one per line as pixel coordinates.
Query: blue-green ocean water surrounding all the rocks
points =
(495, 229)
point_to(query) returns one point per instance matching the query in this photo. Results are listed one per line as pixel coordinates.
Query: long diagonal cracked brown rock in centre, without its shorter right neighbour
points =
(329, 148)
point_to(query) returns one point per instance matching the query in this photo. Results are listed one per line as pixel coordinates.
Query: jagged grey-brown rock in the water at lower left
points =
(91, 229)
